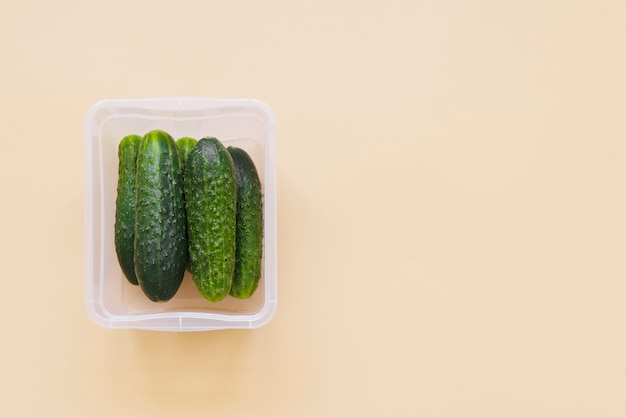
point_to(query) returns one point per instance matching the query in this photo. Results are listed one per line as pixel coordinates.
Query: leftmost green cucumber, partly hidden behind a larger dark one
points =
(125, 206)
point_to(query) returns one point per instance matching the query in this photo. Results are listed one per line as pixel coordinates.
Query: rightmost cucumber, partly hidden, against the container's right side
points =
(249, 229)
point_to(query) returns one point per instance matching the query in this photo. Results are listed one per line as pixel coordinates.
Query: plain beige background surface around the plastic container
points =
(452, 199)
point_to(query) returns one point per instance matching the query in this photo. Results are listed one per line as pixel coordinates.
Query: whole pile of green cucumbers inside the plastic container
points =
(188, 205)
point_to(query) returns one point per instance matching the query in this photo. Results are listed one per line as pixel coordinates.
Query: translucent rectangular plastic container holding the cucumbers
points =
(111, 301)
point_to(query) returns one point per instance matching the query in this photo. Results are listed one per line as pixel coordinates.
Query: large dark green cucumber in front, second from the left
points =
(160, 223)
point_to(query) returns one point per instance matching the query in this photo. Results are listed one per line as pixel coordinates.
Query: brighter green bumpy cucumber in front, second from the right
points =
(211, 198)
